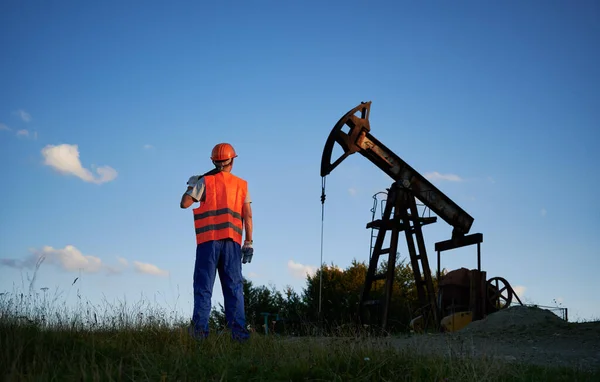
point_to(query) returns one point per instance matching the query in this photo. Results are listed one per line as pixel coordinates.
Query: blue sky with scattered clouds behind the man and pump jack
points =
(107, 109)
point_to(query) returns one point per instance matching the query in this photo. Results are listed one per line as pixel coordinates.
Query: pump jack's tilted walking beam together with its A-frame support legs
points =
(352, 133)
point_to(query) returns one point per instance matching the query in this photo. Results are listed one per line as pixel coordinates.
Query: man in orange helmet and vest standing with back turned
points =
(224, 213)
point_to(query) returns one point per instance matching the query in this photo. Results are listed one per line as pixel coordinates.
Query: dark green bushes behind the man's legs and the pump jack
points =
(298, 314)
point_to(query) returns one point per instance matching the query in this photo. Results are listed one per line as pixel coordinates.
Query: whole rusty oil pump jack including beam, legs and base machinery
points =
(463, 295)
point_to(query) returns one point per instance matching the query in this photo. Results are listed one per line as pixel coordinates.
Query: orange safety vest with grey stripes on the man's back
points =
(219, 216)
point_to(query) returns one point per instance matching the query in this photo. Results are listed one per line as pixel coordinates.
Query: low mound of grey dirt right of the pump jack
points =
(516, 318)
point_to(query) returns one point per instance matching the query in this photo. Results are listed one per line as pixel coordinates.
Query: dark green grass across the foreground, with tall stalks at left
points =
(127, 343)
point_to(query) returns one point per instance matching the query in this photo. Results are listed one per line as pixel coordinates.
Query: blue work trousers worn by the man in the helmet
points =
(224, 256)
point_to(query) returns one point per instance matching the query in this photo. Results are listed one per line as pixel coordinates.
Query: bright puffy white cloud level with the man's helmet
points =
(64, 158)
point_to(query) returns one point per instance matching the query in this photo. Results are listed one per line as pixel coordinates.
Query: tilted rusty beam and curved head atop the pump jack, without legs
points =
(359, 139)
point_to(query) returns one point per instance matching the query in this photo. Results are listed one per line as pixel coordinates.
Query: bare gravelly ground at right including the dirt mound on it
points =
(518, 334)
